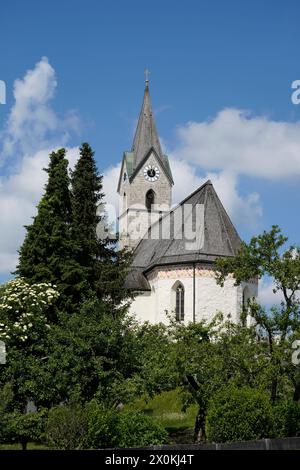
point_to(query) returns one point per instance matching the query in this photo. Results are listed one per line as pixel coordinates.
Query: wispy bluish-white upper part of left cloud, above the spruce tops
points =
(32, 124)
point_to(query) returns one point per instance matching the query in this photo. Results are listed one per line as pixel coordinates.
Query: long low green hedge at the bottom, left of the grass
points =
(96, 426)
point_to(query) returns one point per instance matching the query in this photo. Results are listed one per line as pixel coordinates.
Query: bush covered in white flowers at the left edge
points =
(22, 309)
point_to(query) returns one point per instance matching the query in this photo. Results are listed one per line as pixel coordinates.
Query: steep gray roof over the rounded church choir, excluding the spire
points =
(220, 238)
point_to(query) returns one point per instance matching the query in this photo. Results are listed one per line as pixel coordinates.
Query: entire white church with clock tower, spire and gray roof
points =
(174, 248)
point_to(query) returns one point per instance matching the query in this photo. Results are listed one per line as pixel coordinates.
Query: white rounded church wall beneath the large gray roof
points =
(210, 298)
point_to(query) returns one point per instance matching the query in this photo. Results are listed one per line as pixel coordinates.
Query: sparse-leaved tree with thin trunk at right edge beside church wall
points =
(266, 255)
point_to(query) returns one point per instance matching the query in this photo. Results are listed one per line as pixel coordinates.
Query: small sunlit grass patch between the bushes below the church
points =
(165, 408)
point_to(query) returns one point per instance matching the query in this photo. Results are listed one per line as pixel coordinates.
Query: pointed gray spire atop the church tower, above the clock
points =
(146, 134)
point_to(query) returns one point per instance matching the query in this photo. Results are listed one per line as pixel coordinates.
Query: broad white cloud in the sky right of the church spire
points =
(242, 144)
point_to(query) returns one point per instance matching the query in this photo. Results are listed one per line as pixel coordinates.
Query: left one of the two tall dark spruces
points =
(47, 253)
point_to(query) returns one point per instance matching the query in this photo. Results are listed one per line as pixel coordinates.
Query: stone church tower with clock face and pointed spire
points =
(145, 182)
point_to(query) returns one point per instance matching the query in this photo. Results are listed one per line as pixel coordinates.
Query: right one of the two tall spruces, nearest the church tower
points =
(104, 267)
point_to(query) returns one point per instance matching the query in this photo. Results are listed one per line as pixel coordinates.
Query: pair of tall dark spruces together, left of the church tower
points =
(61, 245)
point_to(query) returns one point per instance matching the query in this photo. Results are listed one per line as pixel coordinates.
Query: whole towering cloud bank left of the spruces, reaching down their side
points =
(32, 131)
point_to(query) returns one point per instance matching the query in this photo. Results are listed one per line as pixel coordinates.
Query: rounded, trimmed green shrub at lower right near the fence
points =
(239, 414)
